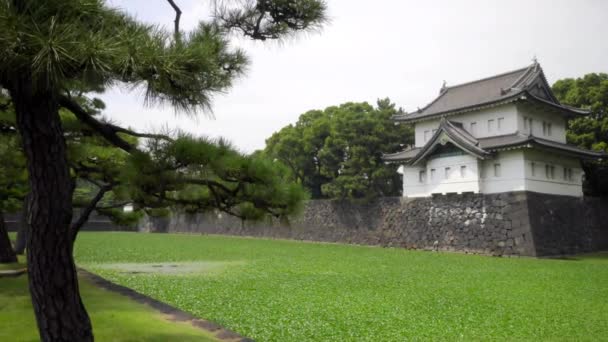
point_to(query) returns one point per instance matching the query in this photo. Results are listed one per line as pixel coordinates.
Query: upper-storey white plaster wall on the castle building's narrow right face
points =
(538, 116)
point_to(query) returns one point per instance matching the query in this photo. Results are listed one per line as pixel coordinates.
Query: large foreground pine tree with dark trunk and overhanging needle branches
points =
(52, 49)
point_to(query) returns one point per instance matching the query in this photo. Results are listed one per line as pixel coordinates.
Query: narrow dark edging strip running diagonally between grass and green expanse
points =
(176, 314)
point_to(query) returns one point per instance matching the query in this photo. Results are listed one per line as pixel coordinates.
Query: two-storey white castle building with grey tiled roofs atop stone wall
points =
(498, 134)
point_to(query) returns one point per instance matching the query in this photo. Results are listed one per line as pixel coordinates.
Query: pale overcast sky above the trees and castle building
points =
(374, 49)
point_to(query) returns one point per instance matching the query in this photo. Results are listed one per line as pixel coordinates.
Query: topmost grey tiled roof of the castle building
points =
(497, 89)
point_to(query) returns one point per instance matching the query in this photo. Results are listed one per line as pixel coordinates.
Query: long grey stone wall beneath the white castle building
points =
(515, 223)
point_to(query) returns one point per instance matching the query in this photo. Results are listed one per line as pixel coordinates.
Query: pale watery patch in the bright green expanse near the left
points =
(170, 268)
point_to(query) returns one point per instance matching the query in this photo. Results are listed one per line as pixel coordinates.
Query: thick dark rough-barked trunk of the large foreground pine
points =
(59, 311)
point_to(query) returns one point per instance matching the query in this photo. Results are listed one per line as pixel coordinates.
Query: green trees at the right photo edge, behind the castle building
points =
(590, 132)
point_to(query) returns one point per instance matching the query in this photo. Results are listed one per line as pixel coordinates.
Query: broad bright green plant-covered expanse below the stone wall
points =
(293, 291)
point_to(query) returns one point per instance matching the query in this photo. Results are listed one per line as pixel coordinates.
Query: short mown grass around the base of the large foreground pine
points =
(114, 317)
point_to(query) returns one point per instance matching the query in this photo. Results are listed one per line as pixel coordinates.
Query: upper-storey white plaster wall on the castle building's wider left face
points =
(507, 112)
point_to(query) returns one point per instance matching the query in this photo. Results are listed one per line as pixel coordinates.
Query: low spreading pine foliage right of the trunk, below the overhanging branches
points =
(197, 174)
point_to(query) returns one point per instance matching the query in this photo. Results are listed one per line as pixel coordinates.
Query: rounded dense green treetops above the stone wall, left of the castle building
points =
(337, 152)
